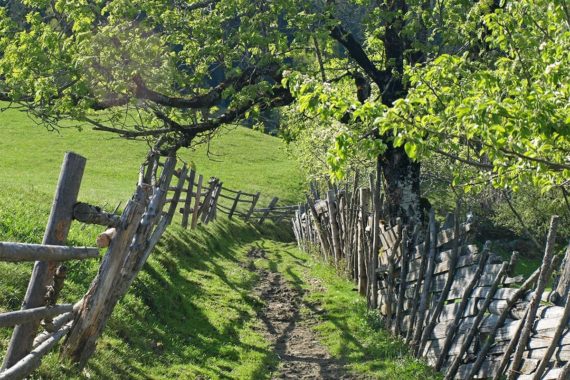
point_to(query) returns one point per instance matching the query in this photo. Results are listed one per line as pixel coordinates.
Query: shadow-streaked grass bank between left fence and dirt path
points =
(191, 307)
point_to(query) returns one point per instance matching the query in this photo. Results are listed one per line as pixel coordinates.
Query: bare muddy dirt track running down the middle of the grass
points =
(301, 355)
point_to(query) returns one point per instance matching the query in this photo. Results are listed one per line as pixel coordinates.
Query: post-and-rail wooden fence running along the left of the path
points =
(129, 239)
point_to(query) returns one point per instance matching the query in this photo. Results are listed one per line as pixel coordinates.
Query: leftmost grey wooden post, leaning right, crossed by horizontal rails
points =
(56, 232)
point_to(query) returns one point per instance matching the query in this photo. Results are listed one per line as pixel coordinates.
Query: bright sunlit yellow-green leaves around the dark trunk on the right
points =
(499, 102)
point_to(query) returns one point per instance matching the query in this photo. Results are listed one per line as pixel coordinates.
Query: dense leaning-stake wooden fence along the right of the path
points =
(455, 305)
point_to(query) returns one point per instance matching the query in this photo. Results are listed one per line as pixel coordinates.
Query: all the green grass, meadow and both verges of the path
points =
(190, 313)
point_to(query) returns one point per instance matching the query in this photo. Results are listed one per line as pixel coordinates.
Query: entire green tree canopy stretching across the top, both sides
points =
(482, 83)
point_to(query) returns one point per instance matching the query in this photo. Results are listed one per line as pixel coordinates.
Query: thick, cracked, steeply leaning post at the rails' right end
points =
(140, 229)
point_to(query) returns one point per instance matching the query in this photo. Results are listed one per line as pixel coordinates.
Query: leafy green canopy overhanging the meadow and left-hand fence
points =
(165, 71)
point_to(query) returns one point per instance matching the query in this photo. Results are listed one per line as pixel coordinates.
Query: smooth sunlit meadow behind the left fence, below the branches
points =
(242, 158)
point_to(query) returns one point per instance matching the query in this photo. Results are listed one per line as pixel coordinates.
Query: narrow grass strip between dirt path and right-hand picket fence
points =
(347, 328)
